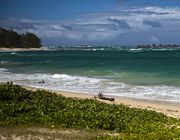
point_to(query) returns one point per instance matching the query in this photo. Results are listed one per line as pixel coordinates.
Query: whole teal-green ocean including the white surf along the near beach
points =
(152, 74)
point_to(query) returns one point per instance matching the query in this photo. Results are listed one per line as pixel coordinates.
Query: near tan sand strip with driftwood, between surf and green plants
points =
(168, 108)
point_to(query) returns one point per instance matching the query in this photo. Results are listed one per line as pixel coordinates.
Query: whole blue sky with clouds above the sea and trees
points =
(95, 22)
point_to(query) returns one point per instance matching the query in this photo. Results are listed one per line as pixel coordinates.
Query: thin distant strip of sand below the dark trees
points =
(21, 49)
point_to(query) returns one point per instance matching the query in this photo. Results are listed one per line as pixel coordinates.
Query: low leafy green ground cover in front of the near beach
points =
(21, 107)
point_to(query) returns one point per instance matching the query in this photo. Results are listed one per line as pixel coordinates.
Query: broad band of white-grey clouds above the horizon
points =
(124, 26)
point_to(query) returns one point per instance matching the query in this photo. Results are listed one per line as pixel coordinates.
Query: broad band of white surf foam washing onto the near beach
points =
(92, 85)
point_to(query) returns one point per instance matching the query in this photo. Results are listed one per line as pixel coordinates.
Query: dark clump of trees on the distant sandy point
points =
(11, 39)
